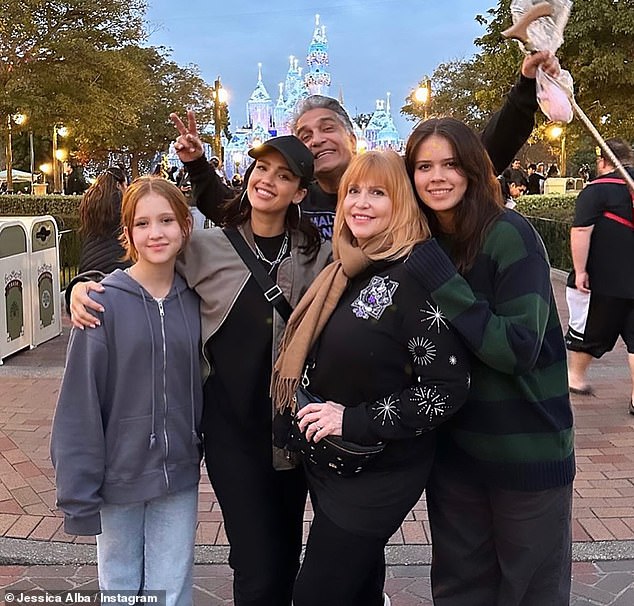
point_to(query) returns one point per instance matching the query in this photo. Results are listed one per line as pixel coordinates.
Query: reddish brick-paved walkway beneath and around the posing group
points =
(35, 552)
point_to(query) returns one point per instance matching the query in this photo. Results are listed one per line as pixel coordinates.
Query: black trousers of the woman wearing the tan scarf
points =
(340, 568)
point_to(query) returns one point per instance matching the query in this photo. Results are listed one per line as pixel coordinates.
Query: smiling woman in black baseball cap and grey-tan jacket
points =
(260, 489)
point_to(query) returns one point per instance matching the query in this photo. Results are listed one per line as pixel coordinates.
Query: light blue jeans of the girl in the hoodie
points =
(150, 546)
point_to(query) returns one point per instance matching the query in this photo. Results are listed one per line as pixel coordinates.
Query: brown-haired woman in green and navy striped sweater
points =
(500, 494)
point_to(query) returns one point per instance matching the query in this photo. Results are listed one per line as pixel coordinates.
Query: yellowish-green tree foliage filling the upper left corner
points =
(83, 64)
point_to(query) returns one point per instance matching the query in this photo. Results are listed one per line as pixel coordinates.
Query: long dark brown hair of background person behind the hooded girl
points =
(100, 206)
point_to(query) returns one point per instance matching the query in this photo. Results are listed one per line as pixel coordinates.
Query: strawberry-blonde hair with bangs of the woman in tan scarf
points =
(408, 225)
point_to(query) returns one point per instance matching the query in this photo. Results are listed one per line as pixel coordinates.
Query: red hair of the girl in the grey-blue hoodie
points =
(140, 188)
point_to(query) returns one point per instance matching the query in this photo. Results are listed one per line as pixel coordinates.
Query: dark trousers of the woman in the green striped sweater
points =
(494, 547)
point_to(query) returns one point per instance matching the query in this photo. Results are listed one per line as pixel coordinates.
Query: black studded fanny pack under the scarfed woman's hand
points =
(332, 452)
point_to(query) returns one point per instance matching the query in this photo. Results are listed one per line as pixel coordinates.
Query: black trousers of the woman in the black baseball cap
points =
(263, 511)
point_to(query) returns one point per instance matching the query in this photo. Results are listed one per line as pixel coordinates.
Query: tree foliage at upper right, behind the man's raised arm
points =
(598, 51)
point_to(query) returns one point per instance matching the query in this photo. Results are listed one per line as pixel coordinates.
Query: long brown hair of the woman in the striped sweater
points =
(482, 202)
